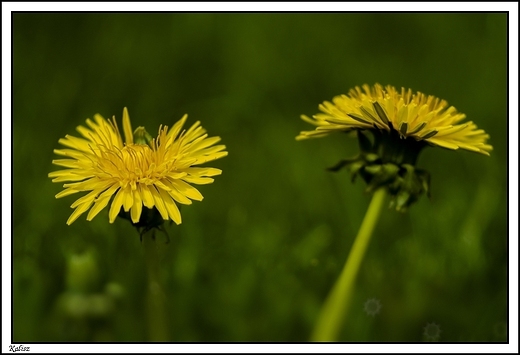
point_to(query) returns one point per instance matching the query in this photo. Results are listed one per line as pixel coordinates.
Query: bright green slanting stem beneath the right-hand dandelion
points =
(335, 309)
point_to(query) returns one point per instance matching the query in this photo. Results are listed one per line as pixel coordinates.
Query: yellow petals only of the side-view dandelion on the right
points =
(418, 116)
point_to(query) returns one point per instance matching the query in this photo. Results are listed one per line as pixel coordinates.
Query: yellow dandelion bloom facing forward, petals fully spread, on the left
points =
(141, 171)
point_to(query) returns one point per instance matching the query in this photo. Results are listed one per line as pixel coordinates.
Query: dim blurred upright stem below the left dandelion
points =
(155, 297)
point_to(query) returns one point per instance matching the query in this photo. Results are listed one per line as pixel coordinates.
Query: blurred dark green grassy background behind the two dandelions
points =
(256, 258)
